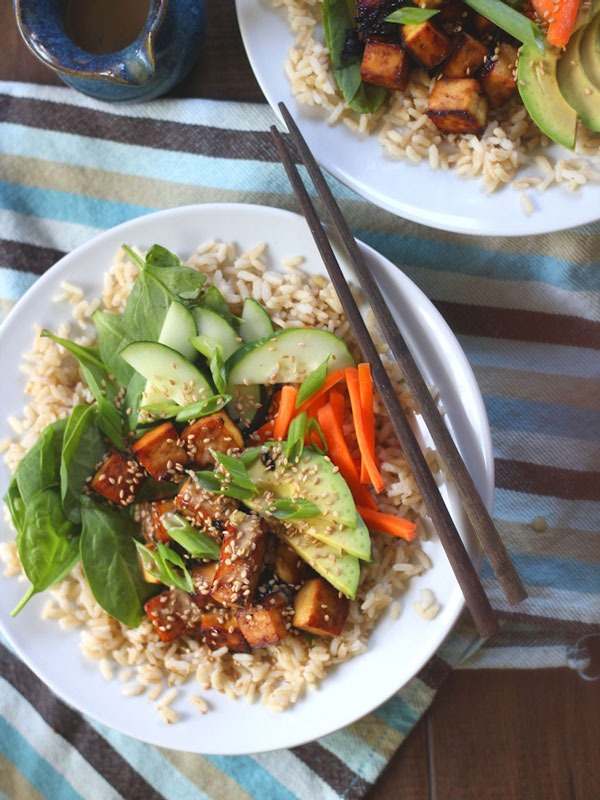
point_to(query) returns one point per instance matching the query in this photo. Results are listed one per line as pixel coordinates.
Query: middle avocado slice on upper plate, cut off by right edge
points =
(575, 85)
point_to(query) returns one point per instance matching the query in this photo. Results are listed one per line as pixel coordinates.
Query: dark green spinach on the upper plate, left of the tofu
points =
(338, 17)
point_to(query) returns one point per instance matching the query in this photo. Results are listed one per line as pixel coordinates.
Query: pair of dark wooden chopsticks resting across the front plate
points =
(466, 575)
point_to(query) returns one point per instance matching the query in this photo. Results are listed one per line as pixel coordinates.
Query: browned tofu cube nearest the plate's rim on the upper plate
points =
(458, 105)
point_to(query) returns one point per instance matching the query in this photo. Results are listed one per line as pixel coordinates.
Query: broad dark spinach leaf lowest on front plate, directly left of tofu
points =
(110, 563)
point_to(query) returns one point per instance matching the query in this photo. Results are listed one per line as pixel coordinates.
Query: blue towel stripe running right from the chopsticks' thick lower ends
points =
(559, 573)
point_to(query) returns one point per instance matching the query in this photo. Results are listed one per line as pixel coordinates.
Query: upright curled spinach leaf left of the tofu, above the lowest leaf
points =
(83, 448)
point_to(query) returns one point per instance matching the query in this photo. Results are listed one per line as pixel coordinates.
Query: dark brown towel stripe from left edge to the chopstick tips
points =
(155, 133)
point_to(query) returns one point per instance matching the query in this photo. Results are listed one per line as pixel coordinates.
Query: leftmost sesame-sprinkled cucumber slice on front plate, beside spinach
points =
(166, 370)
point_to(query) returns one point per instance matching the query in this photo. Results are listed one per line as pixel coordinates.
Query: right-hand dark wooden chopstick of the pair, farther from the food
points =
(473, 505)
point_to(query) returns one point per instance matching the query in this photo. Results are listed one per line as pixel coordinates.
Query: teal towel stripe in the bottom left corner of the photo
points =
(38, 772)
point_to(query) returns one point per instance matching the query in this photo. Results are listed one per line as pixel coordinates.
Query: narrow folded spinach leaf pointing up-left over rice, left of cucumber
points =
(104, 388)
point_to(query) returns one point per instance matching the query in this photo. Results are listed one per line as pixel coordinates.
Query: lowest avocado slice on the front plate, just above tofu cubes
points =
(341, 570)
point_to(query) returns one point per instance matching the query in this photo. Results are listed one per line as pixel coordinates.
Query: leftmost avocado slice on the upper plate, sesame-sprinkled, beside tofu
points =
(542, 97)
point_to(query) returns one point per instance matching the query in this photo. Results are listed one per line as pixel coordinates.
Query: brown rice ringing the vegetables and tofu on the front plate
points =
(276, 675)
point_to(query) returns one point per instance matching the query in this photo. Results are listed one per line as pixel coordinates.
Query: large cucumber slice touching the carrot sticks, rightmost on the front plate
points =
(287, 356)
